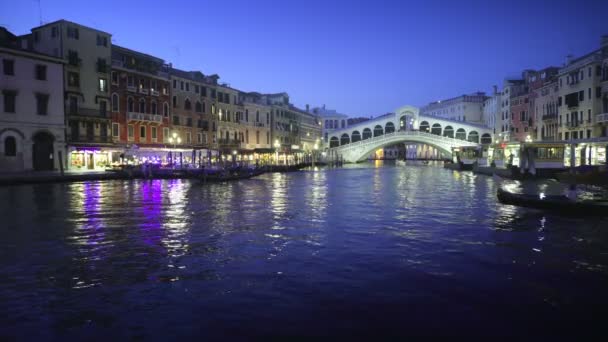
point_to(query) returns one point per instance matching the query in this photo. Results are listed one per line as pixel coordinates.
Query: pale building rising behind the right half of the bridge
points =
(467, 108)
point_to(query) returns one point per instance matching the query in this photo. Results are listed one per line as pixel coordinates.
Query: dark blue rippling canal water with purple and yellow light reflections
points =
(364, 250)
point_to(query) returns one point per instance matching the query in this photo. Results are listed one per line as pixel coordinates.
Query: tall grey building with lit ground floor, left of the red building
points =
(87, 54)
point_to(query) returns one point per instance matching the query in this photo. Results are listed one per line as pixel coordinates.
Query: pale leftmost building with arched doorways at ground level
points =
(32, 126)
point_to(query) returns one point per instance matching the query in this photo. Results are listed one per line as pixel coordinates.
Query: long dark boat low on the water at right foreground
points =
(561, 204)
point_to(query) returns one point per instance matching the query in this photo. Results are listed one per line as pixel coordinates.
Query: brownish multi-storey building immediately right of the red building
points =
(194, 115)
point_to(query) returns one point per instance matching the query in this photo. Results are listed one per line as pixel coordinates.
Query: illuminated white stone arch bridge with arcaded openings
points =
(358, 141)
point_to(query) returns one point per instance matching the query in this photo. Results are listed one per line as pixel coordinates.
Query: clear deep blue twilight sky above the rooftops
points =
(360, 57)
